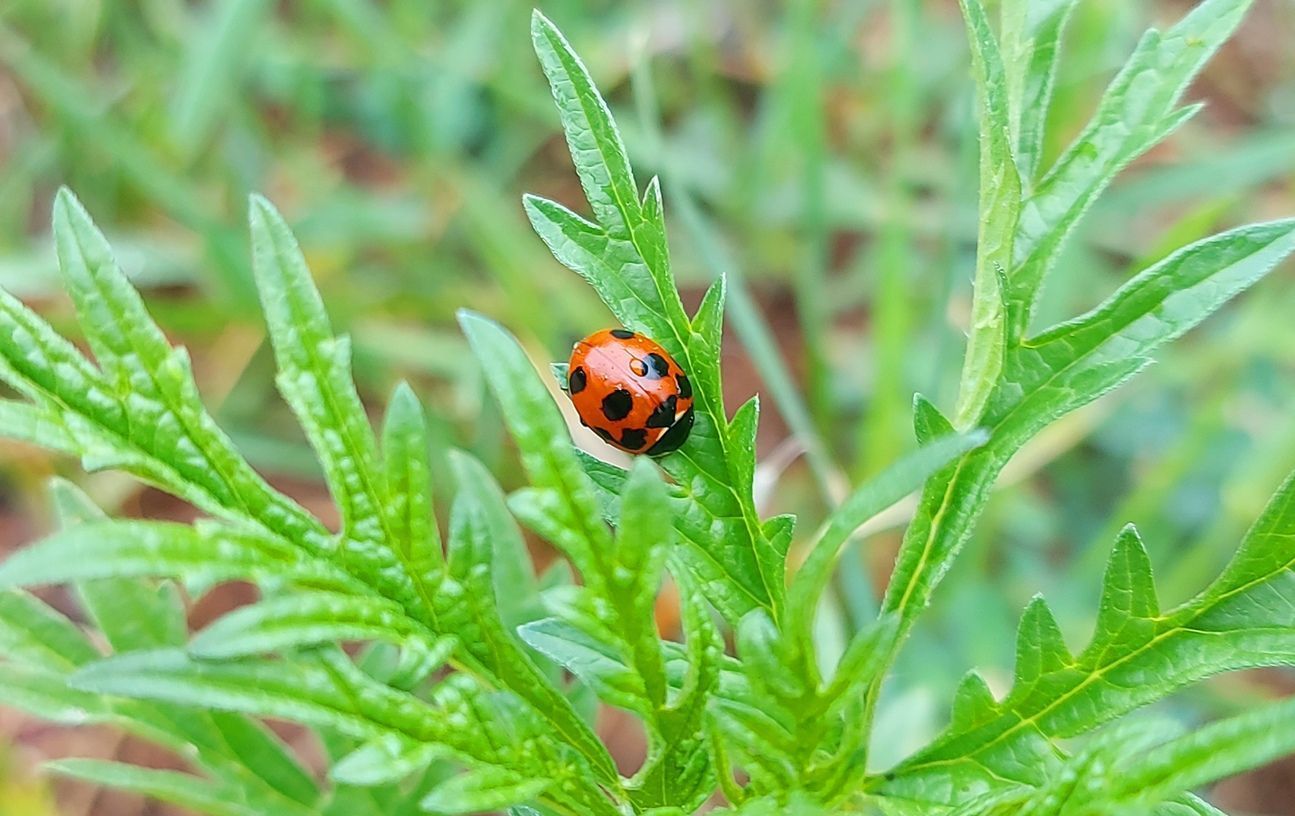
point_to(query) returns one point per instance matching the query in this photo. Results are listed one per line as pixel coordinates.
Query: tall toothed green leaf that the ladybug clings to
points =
(624, 257)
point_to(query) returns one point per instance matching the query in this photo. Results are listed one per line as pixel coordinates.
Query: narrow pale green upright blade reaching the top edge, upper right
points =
(1000, 207)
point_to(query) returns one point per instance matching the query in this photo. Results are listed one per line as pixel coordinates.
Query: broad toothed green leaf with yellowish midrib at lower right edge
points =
(1138, 656)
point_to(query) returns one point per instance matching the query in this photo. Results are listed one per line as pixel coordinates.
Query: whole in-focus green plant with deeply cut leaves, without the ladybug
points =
(459, 700)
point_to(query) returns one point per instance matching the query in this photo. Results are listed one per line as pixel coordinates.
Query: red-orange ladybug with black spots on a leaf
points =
(630, 392)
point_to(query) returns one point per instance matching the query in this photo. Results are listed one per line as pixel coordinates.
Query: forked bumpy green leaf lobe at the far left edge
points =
(144, 414)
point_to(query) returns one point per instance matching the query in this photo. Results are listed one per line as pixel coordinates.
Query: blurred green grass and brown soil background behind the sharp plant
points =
(819, 152)
